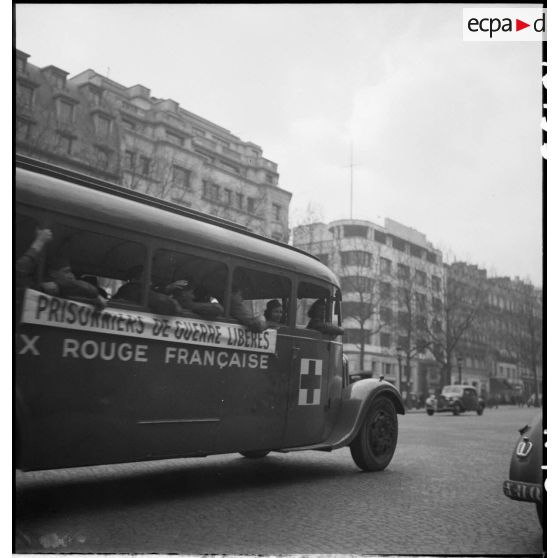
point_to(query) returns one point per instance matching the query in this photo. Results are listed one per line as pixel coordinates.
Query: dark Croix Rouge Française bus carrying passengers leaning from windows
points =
(122, 383)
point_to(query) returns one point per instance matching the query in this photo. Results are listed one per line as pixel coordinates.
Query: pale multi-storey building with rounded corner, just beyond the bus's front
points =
(393, 281)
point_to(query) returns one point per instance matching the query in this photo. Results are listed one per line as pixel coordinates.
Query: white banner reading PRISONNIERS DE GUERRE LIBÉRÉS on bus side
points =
(42, 309)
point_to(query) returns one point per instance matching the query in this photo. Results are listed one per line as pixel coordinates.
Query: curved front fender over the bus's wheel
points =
(356, 400)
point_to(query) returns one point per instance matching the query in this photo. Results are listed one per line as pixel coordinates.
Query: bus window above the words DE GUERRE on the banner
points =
(208, 276)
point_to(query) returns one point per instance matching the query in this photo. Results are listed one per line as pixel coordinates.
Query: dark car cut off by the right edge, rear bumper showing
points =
(525, 482)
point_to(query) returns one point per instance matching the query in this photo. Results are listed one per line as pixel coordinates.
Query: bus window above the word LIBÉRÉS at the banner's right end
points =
(260, 287)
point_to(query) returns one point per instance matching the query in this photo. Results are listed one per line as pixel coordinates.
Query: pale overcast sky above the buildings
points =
(446, 134)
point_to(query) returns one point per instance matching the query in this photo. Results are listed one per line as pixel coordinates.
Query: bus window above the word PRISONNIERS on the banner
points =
(97, 258)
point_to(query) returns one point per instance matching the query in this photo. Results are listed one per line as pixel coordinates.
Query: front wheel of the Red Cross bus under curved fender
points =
(375, 443)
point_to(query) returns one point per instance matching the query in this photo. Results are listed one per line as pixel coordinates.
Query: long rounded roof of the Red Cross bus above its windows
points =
(45, 186)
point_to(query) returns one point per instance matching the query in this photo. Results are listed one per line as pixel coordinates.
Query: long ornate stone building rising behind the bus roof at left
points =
(92, 124)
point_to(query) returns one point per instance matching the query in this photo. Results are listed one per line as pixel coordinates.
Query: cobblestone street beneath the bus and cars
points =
(441, 495)
